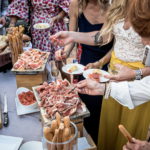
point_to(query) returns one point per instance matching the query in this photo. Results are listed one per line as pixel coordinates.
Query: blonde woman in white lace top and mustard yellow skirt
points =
(128, 51)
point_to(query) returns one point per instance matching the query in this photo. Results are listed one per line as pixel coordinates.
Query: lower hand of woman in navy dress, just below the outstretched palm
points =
(61, 55)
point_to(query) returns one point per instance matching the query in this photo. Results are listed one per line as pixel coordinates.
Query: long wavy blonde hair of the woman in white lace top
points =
(118, 10)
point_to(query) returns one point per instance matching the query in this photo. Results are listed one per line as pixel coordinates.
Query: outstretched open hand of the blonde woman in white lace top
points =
(62, 38)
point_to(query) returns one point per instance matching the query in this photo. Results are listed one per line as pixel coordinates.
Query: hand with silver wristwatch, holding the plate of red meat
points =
(124, 74)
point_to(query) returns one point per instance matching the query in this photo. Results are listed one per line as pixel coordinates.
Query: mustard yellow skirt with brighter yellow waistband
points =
(112, 114)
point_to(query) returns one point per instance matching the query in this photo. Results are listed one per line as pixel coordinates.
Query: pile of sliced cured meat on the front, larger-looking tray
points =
(55, 98)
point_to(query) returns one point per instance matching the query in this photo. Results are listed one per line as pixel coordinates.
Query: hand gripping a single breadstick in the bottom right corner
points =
(137, 145)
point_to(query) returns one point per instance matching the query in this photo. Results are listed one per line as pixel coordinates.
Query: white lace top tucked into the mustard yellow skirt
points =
(128, 46)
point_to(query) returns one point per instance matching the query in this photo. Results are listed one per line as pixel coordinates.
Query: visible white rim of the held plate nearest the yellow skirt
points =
(89, 71)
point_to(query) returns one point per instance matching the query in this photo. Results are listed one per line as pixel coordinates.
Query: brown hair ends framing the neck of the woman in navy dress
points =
(83, 4)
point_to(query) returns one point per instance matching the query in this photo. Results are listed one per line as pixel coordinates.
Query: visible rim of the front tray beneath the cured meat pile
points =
(76, 116)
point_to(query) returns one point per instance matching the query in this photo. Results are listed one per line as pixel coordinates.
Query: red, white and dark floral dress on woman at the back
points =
(41, 12)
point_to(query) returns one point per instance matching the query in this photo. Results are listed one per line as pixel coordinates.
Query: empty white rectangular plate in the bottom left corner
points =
(10, 142)
